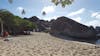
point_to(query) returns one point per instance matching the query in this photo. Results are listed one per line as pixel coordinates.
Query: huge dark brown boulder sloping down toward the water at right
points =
(69, 27)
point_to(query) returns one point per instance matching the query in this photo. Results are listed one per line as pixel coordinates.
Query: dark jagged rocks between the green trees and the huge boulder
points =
(42, 25)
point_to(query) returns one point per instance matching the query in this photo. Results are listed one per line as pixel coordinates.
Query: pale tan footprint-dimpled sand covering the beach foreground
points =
(43, 44)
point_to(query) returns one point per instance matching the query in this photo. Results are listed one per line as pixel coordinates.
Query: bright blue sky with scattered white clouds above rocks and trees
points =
(86, 12)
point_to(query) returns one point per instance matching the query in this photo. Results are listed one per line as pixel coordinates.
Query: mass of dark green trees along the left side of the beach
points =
(15, 24)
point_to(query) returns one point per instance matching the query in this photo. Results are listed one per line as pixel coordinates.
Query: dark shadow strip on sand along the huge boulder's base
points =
(92, 41)
